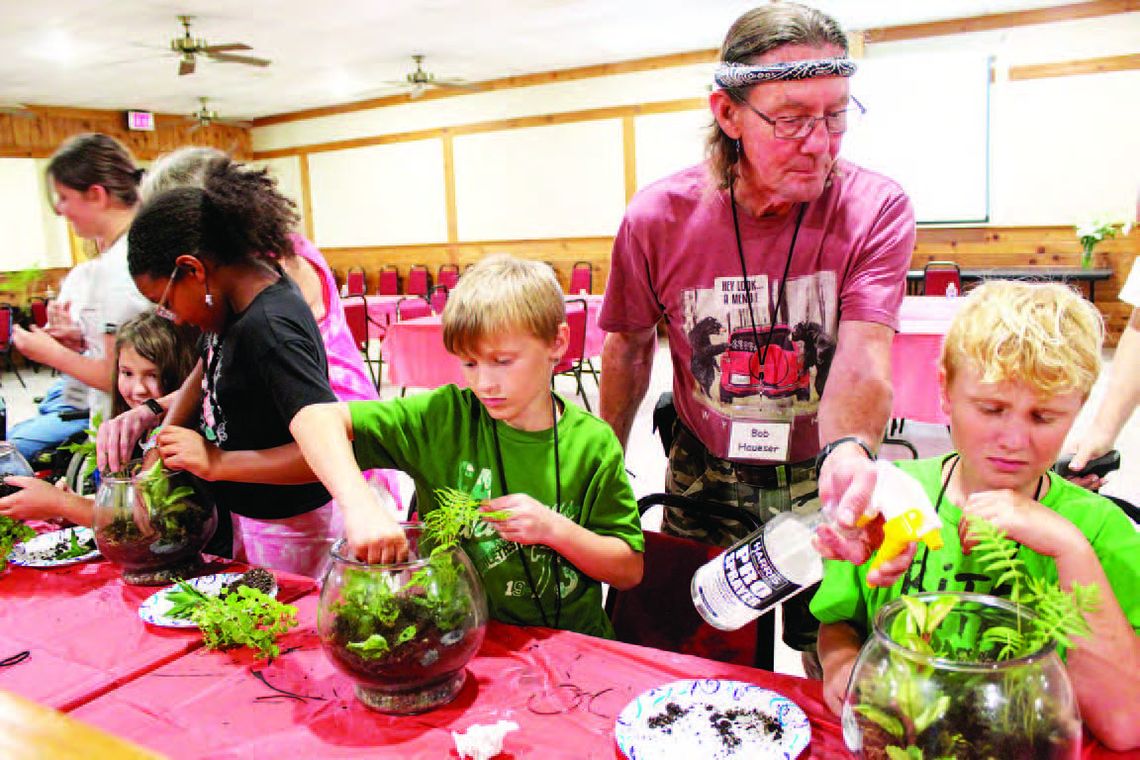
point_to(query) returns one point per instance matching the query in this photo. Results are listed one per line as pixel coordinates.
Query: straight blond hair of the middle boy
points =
(499, 295)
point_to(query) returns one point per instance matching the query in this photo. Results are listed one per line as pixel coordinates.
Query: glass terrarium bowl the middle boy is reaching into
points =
(403, 632)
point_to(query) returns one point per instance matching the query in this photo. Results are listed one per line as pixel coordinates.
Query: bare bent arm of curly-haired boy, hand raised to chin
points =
(1095, 664)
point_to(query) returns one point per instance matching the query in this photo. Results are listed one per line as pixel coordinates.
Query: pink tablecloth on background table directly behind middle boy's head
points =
(417, 358)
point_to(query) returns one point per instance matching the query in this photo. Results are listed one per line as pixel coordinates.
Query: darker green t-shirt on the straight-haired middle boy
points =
(445, 439)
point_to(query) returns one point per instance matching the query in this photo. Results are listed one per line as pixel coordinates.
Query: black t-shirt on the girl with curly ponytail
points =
(260, 372)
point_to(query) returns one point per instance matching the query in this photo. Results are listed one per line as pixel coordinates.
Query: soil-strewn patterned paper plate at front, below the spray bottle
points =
(710, 720)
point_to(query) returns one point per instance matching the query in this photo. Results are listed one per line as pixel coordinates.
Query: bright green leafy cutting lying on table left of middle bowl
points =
(243, 614)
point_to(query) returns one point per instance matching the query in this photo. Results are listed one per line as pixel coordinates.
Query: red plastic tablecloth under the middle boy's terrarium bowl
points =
(564, 690)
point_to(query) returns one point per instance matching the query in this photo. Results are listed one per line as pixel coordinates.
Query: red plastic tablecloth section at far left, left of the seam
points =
(82, 630)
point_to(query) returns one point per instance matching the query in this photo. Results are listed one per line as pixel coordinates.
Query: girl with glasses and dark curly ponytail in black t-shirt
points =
(199, 254)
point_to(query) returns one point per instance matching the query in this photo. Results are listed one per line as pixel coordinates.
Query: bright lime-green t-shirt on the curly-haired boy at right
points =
(844, 595)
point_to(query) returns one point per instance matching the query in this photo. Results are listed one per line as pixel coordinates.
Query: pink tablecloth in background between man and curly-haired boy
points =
(915, 357)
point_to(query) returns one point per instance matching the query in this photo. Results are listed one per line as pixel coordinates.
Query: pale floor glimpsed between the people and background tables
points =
(646, 461)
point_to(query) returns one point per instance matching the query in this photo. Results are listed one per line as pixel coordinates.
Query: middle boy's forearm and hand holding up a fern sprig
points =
(605, 559)
